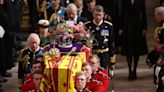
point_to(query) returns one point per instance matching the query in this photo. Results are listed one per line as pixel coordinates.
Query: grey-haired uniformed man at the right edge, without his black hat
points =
(159, 48)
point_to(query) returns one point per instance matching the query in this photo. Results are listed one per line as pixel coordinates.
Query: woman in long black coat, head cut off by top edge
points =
(133, 31)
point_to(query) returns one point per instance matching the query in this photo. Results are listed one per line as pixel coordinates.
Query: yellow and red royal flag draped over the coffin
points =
(61, 74)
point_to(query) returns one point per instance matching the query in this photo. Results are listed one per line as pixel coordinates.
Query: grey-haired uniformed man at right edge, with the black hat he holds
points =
(158, 51)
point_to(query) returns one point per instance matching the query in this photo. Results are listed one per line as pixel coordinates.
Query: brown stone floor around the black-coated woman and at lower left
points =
(144, 83)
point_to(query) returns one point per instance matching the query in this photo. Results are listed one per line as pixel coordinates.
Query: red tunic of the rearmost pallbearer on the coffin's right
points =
(102, 75)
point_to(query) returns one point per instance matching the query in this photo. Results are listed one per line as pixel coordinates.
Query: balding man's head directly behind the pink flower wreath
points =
(72, 14)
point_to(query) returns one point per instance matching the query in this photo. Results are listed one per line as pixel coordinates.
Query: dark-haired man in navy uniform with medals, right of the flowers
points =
(103, 32)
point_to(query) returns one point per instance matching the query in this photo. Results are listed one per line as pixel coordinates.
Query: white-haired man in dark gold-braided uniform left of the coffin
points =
(27, 56)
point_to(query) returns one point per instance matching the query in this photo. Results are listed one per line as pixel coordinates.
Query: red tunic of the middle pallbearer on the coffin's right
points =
(94, 86)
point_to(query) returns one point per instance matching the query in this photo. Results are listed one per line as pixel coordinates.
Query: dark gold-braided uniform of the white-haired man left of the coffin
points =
(26, 57)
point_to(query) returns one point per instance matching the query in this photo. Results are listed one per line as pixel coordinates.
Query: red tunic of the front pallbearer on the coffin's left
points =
(29, 86)
